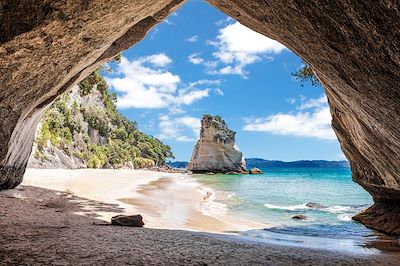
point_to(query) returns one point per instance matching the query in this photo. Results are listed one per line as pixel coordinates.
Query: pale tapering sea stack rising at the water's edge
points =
(216, 150)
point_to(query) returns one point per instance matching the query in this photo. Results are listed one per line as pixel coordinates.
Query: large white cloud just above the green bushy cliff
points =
(145, 83)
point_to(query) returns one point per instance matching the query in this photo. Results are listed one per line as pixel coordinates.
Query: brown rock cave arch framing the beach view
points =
(353, 47)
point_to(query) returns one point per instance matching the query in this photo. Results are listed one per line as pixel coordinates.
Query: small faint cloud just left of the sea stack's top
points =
(174, 128)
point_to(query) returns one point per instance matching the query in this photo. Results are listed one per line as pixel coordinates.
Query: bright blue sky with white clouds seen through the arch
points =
(200, 61)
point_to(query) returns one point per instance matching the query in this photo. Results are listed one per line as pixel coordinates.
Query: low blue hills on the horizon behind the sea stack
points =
(261, 163)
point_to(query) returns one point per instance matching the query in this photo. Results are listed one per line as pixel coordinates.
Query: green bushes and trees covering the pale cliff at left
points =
(114, 140)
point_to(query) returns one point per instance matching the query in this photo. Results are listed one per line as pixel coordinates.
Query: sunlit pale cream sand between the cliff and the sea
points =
(165, 200)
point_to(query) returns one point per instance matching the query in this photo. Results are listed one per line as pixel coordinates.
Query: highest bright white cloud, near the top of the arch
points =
(236, 47)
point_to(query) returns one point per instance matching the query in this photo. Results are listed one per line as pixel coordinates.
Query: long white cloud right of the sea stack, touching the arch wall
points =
(312, 120)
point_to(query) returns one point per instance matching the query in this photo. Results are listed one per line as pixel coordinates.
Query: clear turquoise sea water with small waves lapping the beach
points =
(280, 193)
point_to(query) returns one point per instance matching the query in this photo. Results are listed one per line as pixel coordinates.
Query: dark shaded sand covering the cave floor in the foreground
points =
(40, 227)
